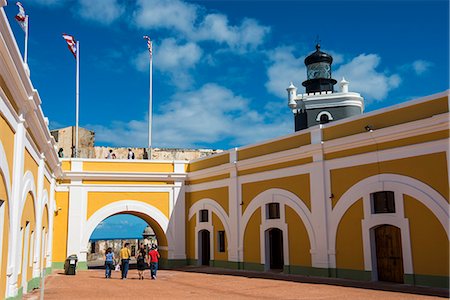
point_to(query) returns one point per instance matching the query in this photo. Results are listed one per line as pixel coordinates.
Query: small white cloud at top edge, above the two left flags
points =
(104, 12)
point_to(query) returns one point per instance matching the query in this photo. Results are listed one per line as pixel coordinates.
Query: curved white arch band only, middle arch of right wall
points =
(286, 198)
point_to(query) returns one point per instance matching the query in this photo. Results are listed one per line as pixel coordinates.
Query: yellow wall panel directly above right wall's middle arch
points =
(298, 185)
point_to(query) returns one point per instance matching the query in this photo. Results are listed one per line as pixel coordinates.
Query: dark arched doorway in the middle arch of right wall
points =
(274, 249)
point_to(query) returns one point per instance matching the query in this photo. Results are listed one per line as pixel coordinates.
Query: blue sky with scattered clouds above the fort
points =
(221, 67)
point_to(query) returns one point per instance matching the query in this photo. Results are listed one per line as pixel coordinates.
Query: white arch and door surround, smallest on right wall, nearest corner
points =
(211, 206)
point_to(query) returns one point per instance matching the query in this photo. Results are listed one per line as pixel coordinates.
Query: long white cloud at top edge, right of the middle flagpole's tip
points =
(190, 23)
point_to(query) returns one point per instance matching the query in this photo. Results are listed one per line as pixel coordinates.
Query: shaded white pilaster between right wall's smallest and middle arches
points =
(234, 214)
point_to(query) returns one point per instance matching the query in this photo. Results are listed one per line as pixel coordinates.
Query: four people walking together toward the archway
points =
(143, 260)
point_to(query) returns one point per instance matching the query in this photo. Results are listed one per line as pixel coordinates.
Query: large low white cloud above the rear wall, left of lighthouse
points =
(207, 116)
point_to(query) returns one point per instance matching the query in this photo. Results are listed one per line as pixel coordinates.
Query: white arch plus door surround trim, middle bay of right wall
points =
(285, 198)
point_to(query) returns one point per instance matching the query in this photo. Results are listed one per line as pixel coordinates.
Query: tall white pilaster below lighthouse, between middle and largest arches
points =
(320, 204)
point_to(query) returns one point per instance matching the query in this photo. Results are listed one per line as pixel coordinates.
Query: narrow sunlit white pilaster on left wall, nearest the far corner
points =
(38, 230)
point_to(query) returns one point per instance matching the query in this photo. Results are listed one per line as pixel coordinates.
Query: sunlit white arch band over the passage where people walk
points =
(124, 206)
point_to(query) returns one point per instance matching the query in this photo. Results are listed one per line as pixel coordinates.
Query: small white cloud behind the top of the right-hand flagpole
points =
(173, 59)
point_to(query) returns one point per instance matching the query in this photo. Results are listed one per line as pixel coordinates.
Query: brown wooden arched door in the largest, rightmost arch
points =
(389, 253)
